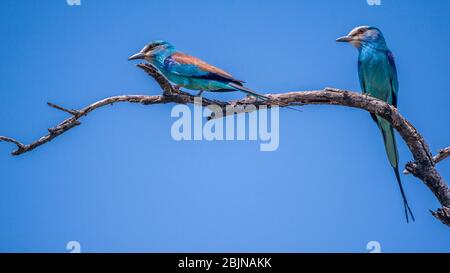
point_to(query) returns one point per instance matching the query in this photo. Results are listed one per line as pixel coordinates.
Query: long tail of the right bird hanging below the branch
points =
(391, 150)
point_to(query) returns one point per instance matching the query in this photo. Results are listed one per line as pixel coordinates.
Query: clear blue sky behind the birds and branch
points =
(120, 182)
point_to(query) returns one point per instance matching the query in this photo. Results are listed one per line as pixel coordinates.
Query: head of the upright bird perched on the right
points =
(364, 36)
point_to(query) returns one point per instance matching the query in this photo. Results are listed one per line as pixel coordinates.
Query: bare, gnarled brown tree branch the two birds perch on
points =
(423, 166)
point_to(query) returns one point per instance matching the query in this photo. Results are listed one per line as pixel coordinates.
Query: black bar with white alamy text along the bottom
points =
(226, 262)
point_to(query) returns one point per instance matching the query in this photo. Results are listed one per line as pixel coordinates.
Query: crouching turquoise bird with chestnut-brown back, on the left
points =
(190, 72)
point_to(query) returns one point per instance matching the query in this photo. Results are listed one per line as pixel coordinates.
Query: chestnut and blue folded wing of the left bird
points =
(188, 66)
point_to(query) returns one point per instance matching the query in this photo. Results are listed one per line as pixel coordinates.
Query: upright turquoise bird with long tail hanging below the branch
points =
(378, 78)
